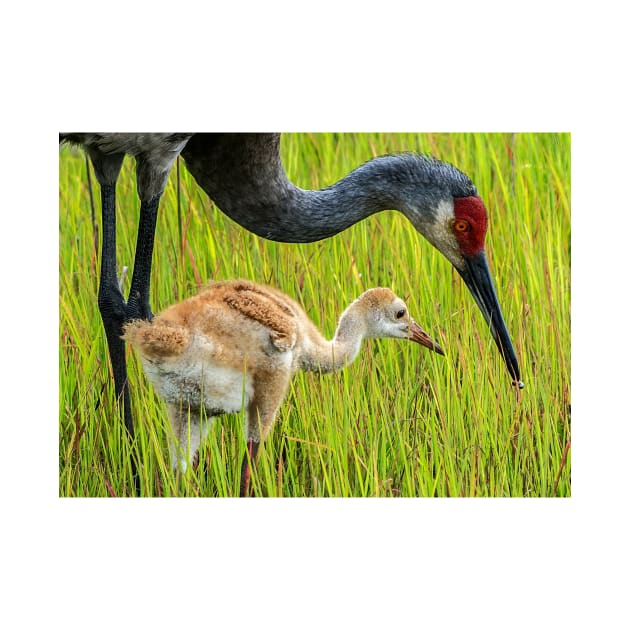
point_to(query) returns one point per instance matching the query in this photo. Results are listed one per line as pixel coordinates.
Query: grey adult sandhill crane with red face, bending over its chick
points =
(244, 176)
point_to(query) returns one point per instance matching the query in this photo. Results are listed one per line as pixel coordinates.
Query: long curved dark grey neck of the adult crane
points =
(244, 176)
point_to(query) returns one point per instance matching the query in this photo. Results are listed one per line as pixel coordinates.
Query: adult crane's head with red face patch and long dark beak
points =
(447, 210)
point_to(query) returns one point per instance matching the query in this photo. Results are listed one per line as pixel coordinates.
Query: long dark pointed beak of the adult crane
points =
(478, 279)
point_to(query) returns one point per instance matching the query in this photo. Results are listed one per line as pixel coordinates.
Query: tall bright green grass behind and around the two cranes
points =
(400, 421)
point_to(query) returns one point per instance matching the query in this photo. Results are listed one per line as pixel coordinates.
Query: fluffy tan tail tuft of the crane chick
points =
(158, 338)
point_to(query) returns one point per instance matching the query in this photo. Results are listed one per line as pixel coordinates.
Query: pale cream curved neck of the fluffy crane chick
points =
(320, 355)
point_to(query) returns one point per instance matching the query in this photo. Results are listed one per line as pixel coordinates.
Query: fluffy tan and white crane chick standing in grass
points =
(236, 344)
